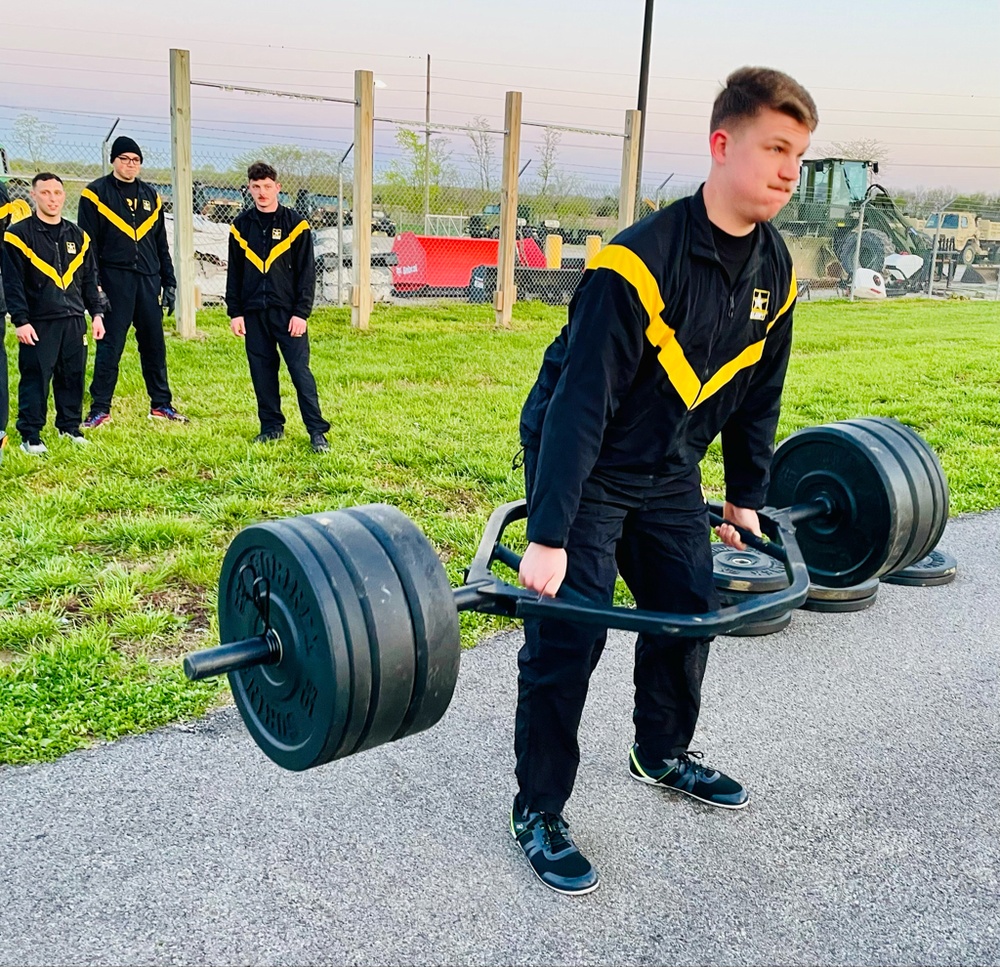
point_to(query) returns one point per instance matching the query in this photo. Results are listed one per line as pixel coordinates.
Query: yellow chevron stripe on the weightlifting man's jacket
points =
(682, 377)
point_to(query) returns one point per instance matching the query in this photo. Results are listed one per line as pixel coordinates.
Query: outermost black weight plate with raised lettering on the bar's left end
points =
(295, 710)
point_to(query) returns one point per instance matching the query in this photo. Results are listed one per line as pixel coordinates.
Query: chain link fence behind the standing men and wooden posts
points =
(435, 220)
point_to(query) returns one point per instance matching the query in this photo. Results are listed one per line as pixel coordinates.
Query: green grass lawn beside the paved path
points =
(109, 554)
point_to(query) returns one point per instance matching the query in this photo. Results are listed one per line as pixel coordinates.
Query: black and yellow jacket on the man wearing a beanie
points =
(125, 239)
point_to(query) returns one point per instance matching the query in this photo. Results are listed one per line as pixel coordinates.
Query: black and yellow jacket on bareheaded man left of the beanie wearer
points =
(49, 276)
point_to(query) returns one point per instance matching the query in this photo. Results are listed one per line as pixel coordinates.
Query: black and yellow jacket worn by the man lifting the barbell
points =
(659, 356)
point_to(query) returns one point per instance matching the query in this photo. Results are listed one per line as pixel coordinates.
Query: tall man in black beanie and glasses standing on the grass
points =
(124, 217)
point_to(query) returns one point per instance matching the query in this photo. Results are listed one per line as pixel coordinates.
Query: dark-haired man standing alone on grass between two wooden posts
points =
(270, 286)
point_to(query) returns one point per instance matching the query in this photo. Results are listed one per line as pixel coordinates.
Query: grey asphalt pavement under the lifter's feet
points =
(870, 743)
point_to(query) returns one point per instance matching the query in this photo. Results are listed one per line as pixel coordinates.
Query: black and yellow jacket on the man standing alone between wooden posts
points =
(272, 269)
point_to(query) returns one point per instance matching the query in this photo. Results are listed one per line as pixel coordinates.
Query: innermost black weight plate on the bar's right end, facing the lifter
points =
(869, 490)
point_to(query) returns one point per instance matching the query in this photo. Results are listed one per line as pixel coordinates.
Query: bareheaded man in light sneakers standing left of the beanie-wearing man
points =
(51, 278)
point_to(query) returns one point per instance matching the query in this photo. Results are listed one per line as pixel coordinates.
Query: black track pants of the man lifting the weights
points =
(656, 534)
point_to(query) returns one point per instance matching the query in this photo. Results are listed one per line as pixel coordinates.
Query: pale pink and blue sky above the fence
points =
(921, 79)
